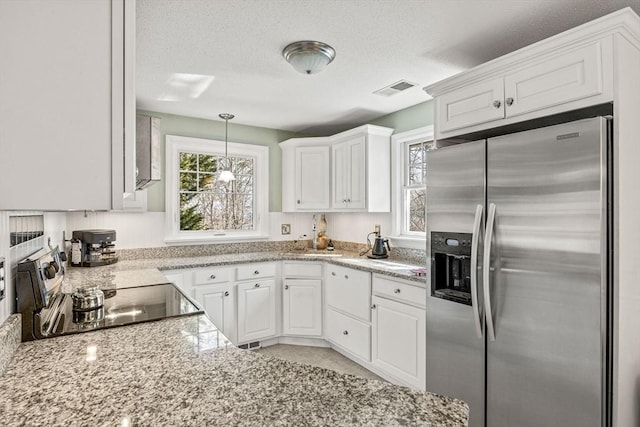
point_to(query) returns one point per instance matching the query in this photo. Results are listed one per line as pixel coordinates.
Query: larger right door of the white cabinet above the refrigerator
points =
(569, 77)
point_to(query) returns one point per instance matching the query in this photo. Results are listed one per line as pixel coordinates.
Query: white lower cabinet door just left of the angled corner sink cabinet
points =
(256, 310)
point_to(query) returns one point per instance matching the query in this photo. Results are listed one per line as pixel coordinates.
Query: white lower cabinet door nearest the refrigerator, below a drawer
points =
(399, 341)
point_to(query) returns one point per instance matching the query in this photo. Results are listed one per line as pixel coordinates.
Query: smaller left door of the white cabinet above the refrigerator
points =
(470, 105)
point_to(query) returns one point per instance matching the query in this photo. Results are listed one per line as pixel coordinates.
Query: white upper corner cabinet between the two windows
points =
(349, 171)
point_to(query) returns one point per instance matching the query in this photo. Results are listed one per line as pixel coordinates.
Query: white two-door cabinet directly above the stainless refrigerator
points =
(550, 77)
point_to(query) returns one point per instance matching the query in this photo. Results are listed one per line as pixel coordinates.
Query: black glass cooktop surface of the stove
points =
(125, 306)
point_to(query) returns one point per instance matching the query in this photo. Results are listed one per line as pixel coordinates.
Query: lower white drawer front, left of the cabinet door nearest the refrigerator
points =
(349, 333)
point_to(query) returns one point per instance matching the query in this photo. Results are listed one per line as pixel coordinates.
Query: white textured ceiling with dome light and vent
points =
(203, 57)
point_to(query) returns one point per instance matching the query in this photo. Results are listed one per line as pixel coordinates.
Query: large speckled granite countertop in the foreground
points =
(181, 372)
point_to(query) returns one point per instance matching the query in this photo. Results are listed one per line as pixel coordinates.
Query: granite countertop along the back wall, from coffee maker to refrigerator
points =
(142, 272)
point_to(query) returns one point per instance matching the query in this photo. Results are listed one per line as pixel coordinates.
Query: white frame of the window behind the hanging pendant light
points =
(176, 144)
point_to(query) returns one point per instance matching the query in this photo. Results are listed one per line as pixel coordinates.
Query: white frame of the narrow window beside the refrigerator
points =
(400, 171)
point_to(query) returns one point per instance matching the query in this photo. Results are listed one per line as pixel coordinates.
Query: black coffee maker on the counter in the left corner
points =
(93, 248)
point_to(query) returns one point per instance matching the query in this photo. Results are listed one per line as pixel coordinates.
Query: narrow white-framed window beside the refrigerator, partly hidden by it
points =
(409, 184)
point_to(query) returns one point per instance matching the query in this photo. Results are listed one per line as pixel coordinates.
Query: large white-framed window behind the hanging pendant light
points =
(199, 206)
